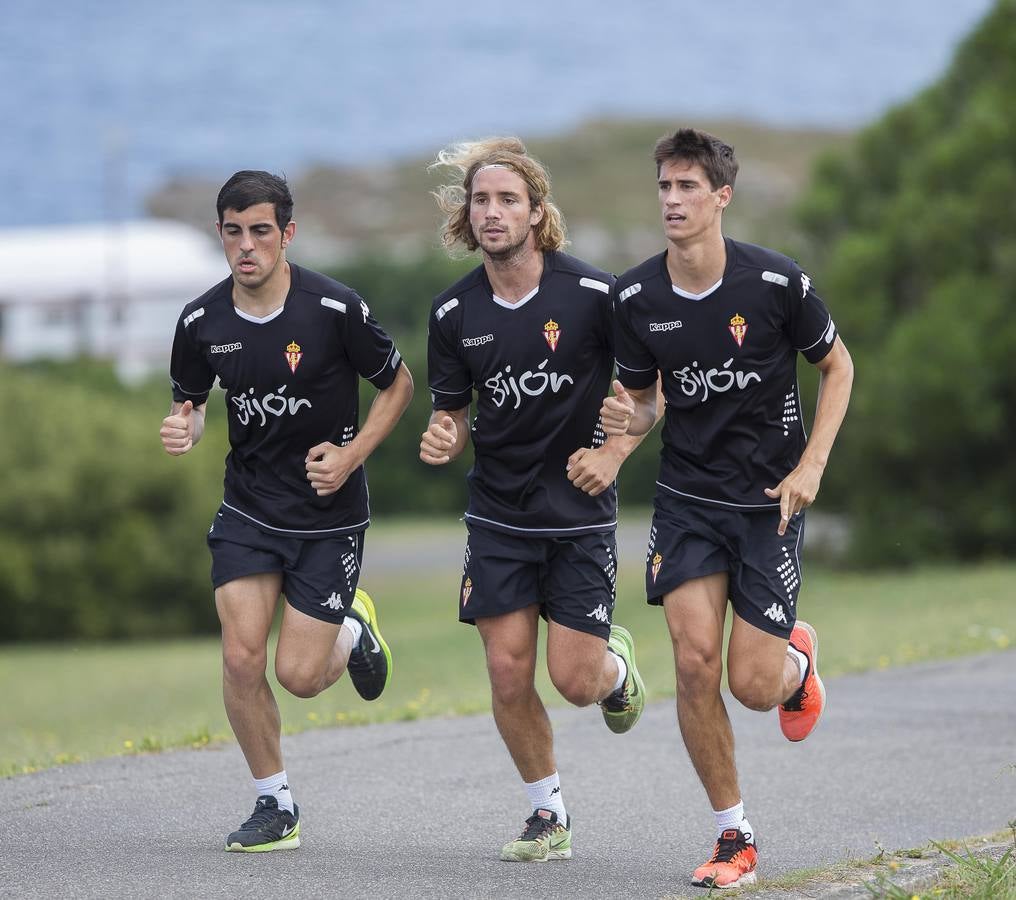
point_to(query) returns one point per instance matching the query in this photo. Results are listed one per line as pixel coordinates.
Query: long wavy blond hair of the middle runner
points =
(467, 159)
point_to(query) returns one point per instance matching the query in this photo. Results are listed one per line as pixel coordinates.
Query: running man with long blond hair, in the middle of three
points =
(530, 331)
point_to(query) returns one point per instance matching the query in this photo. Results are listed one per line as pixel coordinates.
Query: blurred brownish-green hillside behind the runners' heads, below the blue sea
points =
(604, 181)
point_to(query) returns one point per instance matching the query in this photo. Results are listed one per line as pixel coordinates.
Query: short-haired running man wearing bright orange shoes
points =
(723, 323)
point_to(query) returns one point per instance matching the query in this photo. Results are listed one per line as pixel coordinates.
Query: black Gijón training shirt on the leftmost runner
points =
(291, 382)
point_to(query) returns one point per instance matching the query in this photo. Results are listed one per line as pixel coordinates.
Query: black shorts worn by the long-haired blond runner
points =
(571, 578)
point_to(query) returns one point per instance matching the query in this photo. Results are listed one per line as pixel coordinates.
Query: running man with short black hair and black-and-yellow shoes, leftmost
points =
(288, 346)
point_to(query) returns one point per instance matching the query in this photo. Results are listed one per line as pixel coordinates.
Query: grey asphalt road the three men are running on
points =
(419, 810)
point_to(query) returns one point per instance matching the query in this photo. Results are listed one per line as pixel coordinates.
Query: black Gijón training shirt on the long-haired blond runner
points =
(541, 369)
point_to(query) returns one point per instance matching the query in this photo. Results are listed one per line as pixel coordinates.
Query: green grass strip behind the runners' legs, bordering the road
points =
(72, 702)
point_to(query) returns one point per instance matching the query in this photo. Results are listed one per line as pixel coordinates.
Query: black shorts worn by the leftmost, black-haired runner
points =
(320, 576)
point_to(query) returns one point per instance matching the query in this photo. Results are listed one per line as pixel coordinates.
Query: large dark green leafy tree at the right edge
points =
(916, 243)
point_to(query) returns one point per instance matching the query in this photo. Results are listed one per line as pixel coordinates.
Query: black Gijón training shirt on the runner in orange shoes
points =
(729, 364)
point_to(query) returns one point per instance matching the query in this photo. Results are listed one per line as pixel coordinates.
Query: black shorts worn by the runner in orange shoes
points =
(691, 540)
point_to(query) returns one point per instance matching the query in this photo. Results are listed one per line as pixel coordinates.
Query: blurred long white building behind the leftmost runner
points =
(108, 291)
